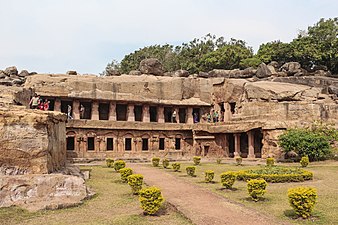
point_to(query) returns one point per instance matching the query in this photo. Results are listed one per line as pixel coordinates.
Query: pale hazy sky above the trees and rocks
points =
(55, 36)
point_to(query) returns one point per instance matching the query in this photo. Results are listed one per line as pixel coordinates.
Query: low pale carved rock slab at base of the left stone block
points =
(38, 192)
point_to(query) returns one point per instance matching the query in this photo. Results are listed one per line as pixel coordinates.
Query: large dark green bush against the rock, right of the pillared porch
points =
(306, 142)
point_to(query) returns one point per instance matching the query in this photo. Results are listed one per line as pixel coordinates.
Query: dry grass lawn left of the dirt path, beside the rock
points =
(113, 204)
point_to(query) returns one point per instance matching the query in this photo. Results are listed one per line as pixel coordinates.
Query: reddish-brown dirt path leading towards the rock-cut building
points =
(201, 206)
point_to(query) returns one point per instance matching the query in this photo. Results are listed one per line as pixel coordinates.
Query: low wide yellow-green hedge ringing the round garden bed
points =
(276, 174)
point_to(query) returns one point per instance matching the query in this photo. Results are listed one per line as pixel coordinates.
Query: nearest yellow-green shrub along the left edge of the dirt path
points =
(151, 199)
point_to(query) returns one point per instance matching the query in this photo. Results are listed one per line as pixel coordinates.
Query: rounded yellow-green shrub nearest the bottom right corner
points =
(302, 200)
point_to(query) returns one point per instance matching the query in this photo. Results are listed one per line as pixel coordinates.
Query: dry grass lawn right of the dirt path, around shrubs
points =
(275, 200)
